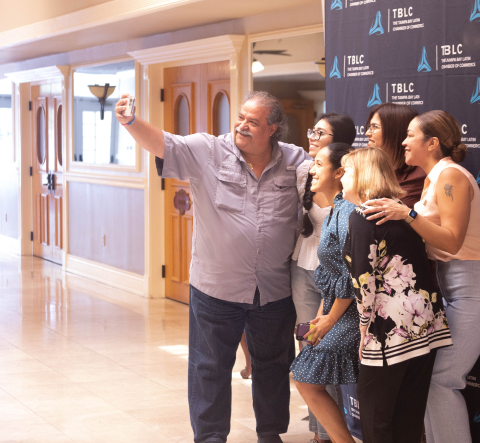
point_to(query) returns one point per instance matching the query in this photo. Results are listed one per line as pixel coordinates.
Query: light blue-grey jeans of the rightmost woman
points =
(446, 417)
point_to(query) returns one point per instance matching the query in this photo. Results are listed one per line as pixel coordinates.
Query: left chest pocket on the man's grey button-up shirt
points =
(230, 191)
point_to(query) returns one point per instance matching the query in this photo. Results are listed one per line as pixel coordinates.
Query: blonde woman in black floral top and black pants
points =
(402, 319)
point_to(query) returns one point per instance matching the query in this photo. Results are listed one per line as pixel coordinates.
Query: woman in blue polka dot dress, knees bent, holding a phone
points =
(332, 357)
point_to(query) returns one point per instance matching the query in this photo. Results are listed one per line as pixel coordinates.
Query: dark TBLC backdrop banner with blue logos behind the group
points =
(423, 53)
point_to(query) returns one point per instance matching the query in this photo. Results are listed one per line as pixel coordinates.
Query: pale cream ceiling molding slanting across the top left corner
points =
(98, 15)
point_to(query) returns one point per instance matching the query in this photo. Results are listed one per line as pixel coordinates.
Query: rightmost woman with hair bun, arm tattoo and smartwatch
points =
(446, 218)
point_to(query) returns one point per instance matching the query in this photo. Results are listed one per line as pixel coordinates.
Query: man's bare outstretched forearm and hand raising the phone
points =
(146, 135)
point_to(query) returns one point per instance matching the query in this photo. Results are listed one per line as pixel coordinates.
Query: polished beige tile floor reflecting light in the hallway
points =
(82, 362)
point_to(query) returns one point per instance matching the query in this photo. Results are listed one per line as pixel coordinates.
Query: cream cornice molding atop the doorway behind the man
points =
(221, 46)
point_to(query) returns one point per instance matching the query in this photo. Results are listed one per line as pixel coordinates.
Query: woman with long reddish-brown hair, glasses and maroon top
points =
(386, 128)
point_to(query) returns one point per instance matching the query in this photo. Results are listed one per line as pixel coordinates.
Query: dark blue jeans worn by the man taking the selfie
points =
(216, 328)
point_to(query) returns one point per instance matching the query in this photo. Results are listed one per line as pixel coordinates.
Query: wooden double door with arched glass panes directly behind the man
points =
(195, 96)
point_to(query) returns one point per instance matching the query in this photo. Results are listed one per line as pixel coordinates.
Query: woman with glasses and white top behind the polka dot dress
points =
(306, 296)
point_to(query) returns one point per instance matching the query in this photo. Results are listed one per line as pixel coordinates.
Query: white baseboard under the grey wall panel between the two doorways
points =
(108, 275)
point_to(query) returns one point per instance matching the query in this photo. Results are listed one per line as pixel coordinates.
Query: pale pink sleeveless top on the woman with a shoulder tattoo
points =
(427, 207)
